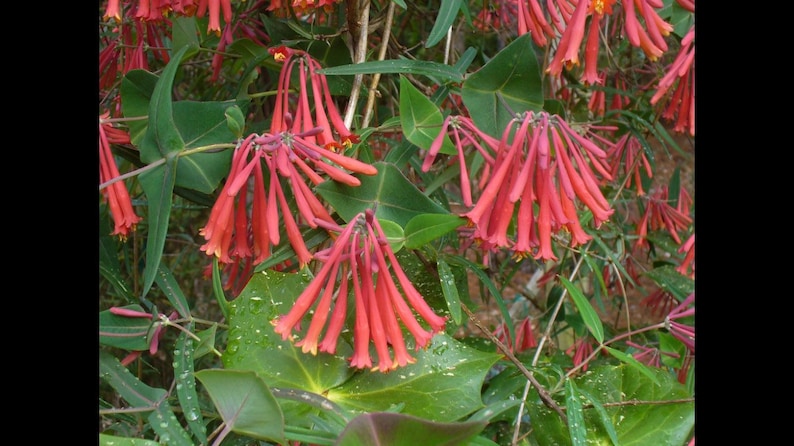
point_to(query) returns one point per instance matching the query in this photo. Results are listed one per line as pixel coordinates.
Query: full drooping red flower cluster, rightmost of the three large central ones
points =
(542, 171)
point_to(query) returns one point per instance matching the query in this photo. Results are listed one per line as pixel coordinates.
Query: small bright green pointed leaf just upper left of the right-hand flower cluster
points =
(420, 119)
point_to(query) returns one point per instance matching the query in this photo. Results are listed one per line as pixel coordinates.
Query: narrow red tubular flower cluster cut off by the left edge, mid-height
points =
(116, 194)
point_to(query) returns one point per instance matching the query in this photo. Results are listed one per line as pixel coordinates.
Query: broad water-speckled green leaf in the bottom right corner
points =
(642, 412)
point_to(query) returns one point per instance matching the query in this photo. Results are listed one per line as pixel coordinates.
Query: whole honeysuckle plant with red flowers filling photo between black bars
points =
(379, 222)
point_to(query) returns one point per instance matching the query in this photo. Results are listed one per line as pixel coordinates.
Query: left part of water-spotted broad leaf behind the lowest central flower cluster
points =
(253, 345)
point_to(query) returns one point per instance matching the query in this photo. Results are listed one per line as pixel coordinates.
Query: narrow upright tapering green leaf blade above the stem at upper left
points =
(162, 138)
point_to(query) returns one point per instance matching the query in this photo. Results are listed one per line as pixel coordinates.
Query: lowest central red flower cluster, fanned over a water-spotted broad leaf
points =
(361, 259)
